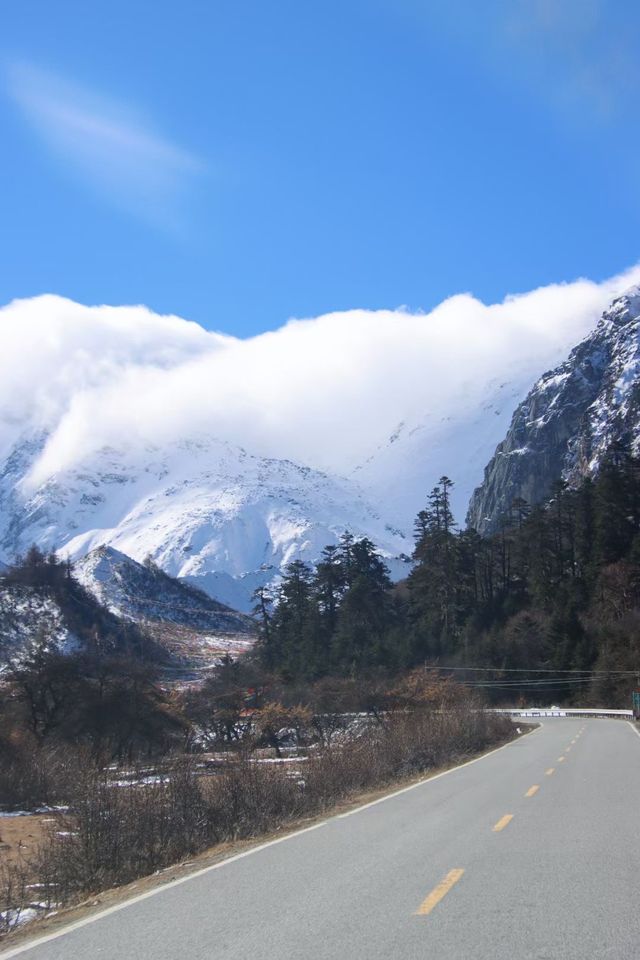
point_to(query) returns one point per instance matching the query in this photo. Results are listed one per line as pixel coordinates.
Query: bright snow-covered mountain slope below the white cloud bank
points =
(203, 510)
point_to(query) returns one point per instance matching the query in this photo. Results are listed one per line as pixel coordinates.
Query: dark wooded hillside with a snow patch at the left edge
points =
(73, 673)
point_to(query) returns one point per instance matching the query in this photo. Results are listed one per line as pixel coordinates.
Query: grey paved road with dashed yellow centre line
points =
(438, 871)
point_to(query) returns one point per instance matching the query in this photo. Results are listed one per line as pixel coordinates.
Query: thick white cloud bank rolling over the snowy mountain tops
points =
(323, 391)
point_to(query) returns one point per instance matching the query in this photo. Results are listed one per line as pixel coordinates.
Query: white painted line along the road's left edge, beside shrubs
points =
(24, 948)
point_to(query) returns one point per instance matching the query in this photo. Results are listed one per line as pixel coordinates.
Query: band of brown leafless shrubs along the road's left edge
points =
(114, 833)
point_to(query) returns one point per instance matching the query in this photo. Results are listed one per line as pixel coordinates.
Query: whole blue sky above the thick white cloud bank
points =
(239, 163)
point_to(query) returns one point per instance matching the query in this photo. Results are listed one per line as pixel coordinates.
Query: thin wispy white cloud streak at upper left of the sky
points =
(106, 145)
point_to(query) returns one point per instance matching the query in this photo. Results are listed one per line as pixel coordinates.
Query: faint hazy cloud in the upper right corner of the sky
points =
(579, 56)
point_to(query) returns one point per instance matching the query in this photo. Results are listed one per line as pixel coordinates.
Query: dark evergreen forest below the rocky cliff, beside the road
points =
(546, 608)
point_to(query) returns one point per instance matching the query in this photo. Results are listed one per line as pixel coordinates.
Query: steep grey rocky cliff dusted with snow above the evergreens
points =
(570, 418)
